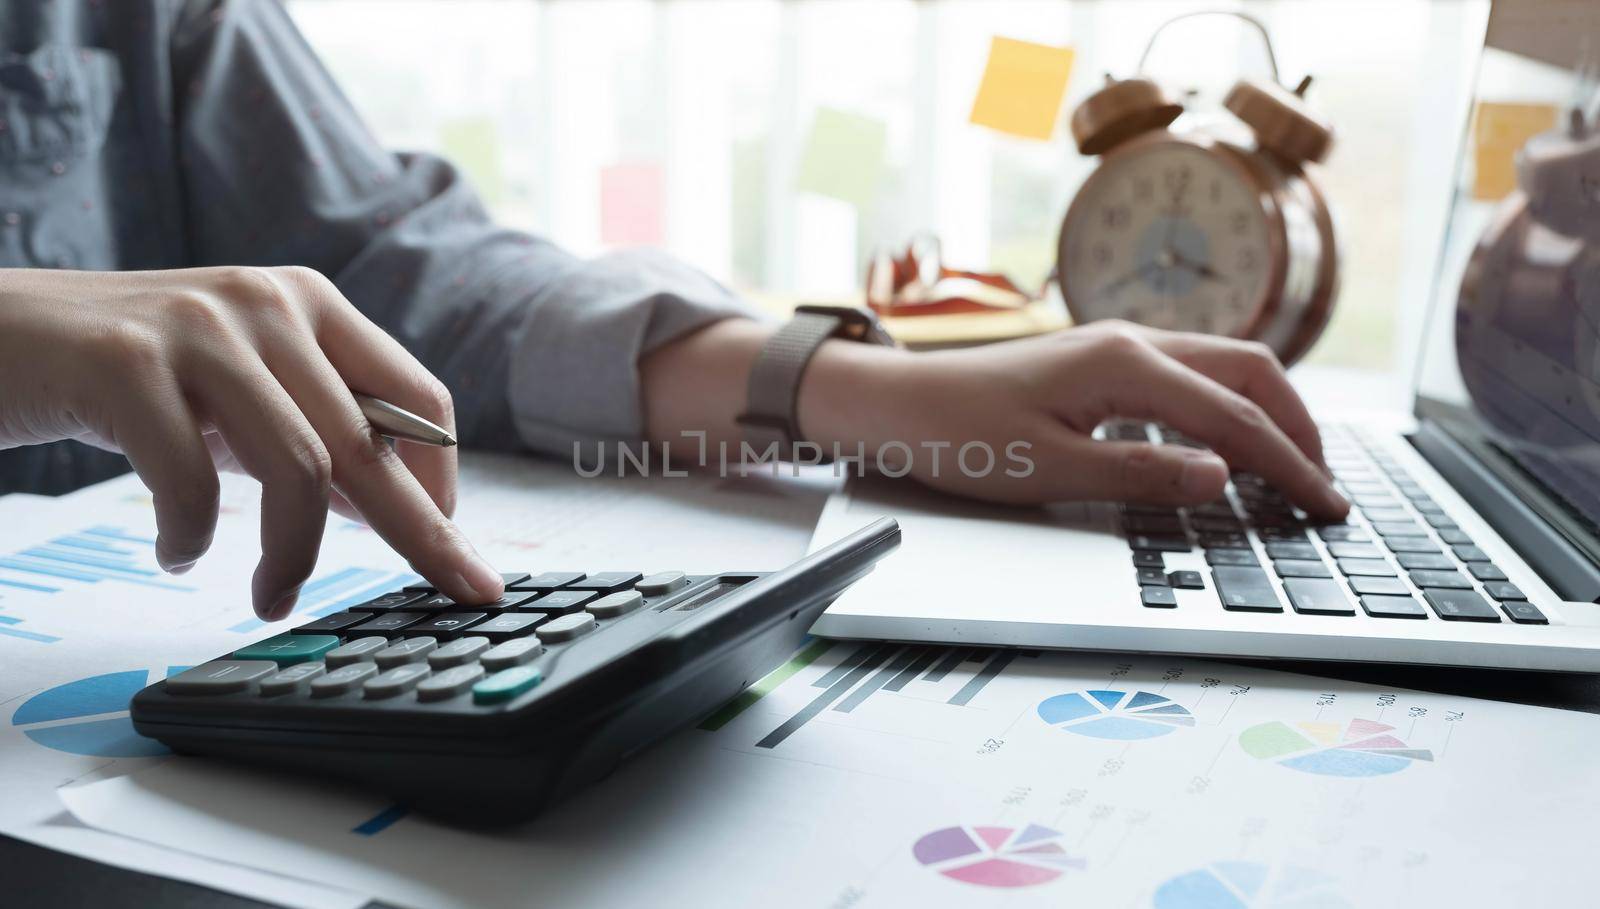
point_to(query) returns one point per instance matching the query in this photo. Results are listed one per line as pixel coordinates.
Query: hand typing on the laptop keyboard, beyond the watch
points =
(1052, 391)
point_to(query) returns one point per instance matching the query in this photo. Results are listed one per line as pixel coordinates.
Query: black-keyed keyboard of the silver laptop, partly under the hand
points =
(1399, 556)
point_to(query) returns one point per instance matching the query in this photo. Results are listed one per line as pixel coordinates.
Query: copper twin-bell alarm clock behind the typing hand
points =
(1215, 228)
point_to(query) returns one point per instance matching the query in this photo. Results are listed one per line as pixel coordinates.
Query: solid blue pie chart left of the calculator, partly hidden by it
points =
(90, 716)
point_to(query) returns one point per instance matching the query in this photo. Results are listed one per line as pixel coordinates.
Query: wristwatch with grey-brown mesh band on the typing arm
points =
(774, 393)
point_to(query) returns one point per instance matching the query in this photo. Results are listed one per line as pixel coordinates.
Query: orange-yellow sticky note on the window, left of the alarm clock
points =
(1023, 89)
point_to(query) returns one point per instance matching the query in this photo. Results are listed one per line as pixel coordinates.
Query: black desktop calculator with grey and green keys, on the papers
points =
(486, 715)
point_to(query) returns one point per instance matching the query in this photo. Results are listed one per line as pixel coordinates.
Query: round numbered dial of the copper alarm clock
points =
(1172, 236)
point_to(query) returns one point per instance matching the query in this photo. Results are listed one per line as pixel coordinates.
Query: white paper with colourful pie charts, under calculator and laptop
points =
(882, 775)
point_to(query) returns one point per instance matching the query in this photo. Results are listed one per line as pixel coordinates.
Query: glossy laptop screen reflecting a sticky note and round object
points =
(1513, 345)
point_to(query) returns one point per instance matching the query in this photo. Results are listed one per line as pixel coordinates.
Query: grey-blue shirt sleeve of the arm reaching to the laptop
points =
(538, 348)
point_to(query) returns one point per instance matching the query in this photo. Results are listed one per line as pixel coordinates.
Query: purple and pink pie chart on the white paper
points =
(996, 857)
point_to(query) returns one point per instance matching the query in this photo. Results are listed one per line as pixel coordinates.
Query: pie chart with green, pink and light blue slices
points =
(1361, 748)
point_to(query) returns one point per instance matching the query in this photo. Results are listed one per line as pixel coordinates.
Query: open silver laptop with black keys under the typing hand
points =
(1474, 539)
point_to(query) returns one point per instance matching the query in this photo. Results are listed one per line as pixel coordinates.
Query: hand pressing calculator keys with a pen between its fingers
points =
(190, 369)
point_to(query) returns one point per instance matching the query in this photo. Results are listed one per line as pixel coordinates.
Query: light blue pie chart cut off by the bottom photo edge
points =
(1249, 886)
